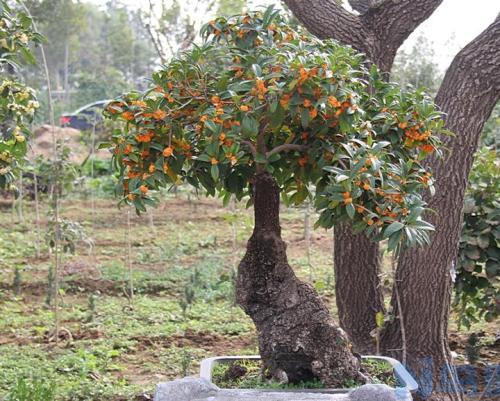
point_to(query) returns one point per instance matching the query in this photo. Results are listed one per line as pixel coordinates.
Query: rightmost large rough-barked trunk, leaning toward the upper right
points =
(468, 94)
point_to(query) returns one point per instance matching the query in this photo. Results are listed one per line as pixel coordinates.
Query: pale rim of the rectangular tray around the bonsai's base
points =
(403, 378)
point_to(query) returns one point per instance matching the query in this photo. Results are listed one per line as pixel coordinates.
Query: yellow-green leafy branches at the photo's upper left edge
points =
(17, 101)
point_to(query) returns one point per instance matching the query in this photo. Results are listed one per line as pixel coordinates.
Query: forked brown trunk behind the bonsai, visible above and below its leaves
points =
(378, 32)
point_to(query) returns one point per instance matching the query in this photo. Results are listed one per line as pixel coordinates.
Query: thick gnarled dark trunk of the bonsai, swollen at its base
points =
(298, 339)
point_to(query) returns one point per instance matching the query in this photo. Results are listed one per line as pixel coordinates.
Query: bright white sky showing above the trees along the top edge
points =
(454, 24)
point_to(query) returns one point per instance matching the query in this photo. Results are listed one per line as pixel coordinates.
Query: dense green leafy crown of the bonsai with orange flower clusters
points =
(258, 96)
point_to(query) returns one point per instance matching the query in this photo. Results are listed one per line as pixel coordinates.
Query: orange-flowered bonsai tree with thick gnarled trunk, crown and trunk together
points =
(260, 110)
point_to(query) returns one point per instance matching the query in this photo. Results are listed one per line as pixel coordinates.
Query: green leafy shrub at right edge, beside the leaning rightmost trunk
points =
(477, 293)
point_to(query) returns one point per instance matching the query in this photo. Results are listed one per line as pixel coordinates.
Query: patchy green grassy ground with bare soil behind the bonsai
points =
(116, 348)
